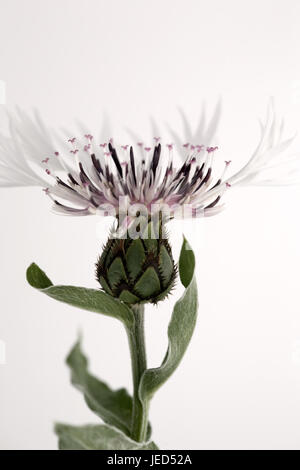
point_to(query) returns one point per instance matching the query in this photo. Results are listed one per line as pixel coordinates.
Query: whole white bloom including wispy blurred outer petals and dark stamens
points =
(83, 176)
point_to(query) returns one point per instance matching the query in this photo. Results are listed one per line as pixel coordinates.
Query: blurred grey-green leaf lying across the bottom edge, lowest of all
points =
(96, 437)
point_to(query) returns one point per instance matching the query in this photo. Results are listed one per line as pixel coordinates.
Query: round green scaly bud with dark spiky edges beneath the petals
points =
(137, 270)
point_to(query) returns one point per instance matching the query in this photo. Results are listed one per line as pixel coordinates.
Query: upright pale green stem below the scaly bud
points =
(139, 364)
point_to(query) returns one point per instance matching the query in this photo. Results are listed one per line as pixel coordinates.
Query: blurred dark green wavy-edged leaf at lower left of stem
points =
(113, 406)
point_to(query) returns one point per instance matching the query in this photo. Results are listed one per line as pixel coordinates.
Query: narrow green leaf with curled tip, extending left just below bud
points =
(88, 299)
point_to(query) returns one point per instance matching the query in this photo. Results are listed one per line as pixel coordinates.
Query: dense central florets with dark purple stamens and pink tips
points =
(104, 182)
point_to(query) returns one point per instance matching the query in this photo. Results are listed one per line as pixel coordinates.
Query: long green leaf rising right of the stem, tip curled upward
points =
(180, 329)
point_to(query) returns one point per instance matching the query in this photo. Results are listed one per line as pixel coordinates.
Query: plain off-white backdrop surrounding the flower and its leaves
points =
(238, 385)
